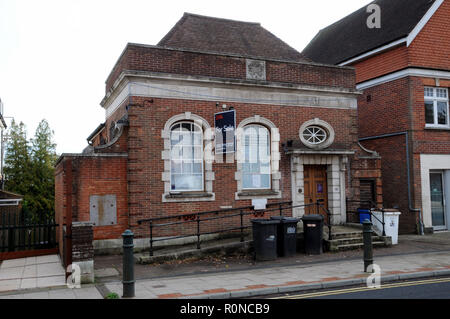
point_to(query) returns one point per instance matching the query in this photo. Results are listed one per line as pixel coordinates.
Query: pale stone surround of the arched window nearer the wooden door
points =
(275, 191)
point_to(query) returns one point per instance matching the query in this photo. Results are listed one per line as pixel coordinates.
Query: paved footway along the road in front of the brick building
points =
(241, 277)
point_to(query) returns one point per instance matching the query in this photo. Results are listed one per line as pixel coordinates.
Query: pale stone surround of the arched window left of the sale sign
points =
(208, 139)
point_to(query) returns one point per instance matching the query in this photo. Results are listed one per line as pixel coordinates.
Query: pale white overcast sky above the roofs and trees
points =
(55, 55)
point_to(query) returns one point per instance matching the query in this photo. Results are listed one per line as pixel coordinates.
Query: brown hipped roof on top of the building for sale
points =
(217, 35)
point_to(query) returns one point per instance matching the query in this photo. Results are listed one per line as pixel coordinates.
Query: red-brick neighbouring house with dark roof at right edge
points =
(403, 70)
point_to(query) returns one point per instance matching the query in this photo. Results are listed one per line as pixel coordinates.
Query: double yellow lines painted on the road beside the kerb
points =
(361, 289)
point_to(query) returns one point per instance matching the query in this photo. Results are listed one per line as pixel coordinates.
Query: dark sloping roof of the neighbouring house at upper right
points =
(350, 36)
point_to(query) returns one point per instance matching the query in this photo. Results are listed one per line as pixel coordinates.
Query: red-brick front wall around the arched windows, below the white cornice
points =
(145, 145)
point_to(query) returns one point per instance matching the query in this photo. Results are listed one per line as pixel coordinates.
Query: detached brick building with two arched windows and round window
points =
(152, 157)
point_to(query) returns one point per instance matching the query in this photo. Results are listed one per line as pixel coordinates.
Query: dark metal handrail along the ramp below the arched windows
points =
(195, 218)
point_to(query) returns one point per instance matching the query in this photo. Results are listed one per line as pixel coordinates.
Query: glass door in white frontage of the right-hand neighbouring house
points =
(437, 201)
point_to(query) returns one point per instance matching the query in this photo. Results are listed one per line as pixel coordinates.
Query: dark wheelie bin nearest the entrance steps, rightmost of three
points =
(313, 234)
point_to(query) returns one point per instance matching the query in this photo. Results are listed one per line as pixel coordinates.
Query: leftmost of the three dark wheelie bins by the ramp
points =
(265, 239)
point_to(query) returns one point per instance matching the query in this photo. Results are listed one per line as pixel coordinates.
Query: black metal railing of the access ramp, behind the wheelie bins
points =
(207, 216)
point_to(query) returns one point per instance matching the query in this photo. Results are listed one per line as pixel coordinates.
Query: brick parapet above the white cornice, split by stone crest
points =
(145, 58)
